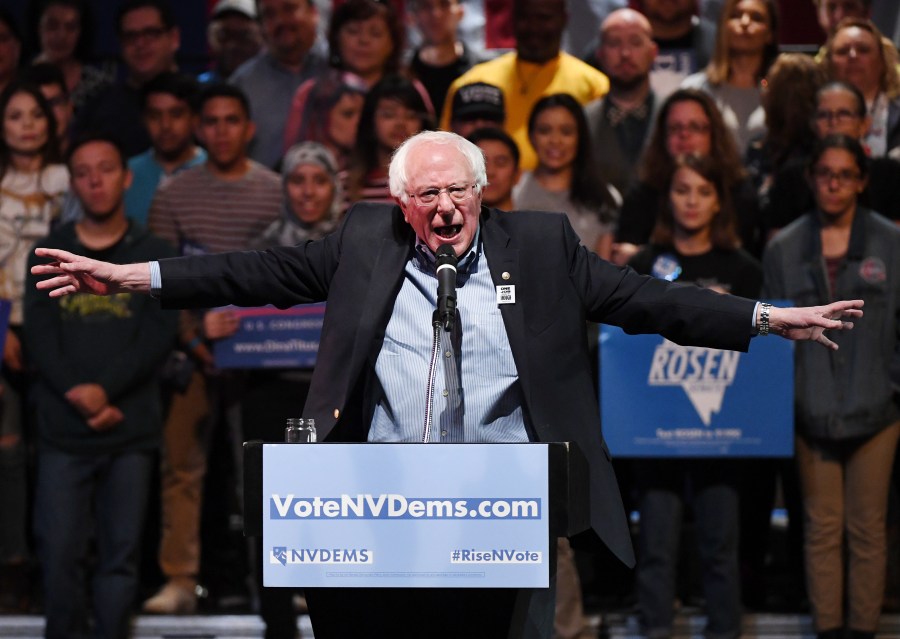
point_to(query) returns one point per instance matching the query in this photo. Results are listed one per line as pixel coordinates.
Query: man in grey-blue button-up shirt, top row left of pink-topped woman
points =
(269, 80)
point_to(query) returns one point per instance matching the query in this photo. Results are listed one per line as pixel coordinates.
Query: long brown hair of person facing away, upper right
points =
(792, 85)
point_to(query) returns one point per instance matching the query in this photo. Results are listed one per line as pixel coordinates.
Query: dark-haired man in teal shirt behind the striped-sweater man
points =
(168, 107)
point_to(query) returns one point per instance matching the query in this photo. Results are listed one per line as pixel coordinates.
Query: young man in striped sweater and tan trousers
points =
(218, 206)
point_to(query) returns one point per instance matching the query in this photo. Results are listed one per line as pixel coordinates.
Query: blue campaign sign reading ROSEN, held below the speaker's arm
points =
(660, 399)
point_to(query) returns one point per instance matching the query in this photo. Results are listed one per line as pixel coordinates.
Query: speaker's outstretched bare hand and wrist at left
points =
(76, 274)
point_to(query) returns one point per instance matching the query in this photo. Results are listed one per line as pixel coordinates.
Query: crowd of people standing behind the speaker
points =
(684, 149)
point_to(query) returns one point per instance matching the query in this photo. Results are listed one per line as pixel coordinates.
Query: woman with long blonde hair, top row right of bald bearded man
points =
(746, 44)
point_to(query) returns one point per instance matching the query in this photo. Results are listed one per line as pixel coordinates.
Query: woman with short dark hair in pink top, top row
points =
(366, 40)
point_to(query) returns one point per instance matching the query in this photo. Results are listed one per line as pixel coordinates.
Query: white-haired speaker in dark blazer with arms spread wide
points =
(512, 372)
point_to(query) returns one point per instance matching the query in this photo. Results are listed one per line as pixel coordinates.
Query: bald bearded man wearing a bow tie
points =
(620, 123)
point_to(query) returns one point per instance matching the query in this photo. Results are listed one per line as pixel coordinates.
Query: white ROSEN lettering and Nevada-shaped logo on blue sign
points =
(703, 374)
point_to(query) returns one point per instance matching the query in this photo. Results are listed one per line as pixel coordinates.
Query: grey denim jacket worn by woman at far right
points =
(845, 393)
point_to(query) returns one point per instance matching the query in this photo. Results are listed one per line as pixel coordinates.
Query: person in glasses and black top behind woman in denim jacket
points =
(840, 109)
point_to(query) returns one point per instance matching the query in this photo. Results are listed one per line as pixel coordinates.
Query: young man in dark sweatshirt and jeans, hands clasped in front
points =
(98, 410)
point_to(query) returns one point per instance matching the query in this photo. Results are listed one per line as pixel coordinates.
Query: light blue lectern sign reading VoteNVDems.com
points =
(405, 515)
